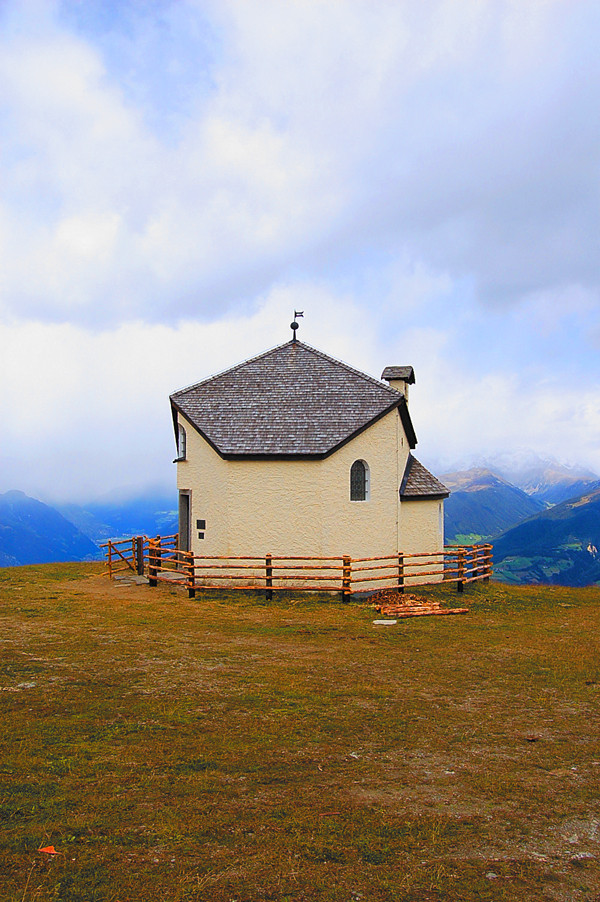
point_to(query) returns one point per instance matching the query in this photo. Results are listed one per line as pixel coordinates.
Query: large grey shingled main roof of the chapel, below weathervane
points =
(289, 402)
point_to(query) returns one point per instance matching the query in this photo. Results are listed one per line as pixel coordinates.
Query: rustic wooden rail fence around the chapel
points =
(162, 561)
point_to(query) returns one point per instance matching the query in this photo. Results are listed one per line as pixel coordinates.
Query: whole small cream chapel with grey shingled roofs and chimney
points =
(296, 453)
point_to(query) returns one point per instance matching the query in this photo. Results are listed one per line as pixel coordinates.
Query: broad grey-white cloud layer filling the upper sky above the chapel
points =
(458, 134)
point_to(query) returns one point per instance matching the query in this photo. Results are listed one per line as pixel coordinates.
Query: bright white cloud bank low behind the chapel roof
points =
(84, 412)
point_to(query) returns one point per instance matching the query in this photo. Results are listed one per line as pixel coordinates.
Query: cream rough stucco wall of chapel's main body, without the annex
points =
(302, 507)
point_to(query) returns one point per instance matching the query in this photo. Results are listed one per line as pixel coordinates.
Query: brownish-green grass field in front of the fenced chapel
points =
(230, 749)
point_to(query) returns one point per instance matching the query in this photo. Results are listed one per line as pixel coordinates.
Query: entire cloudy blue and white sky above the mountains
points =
(420, 177)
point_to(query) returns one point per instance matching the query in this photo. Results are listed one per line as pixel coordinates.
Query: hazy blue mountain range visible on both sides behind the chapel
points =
(545, 529)
